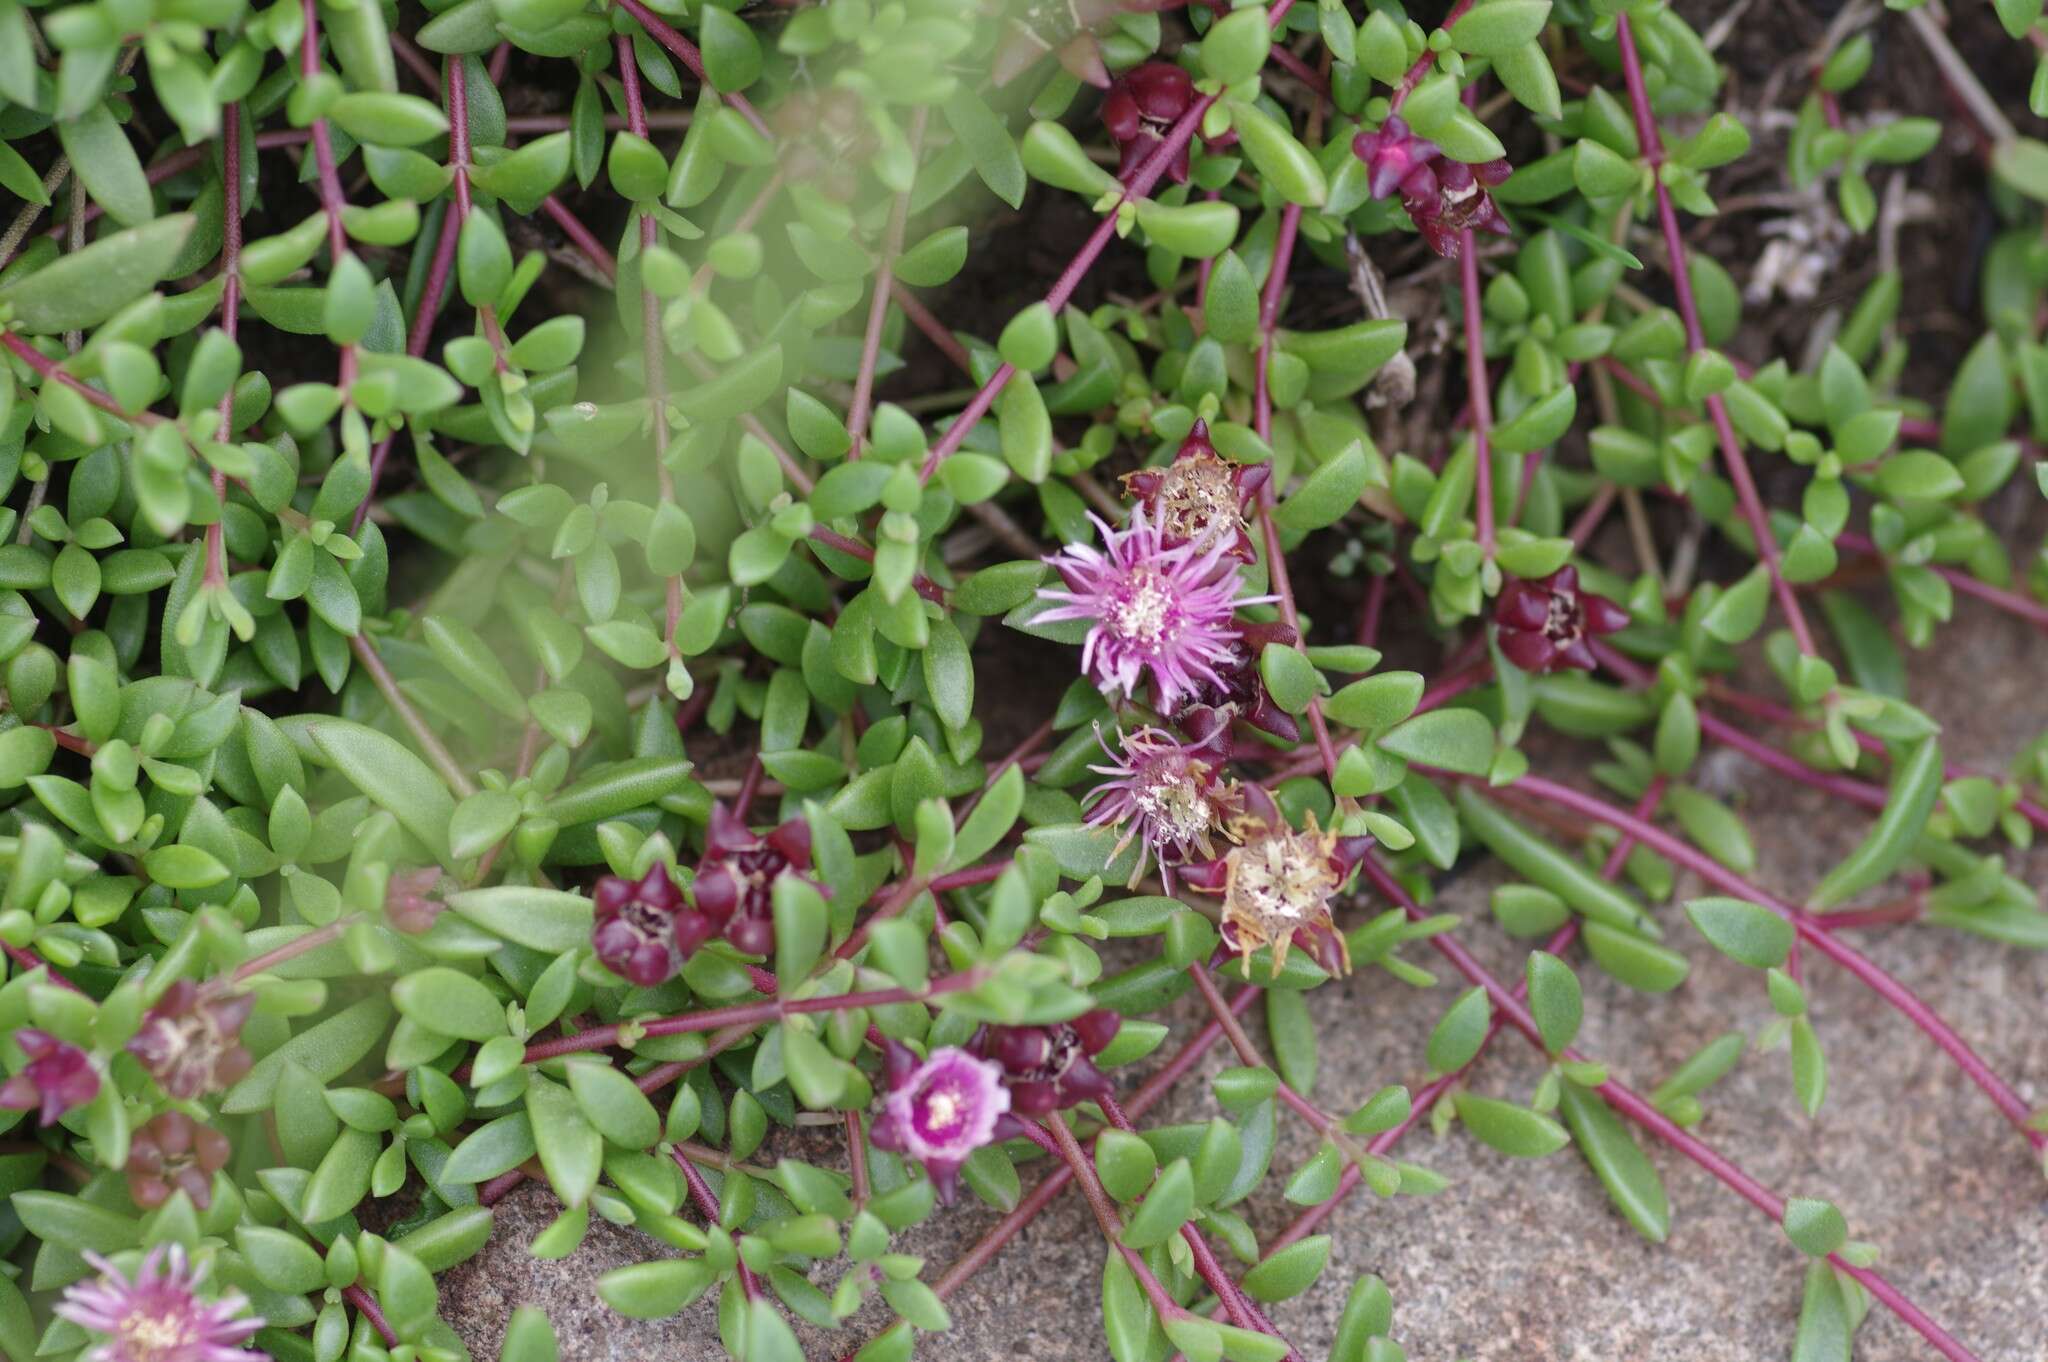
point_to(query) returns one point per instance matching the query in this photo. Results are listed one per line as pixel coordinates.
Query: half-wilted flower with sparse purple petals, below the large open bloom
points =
(1168, 796)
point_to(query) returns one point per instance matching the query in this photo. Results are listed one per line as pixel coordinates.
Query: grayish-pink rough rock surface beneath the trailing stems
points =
(1525, 1261)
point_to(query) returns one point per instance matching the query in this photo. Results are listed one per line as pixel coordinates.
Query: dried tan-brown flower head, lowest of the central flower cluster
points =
(1277, 884)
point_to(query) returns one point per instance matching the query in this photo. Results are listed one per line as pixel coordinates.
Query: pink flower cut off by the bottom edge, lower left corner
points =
(159, 1318)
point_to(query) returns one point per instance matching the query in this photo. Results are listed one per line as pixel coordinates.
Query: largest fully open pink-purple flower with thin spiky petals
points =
(1156, 609)
